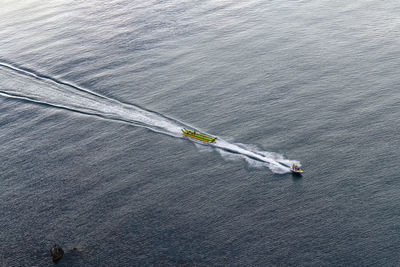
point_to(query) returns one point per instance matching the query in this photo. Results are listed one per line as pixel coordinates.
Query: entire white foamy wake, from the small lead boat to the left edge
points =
(24, 85)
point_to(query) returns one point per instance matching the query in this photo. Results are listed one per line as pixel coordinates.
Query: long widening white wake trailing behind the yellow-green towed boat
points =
(25, 85)
